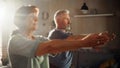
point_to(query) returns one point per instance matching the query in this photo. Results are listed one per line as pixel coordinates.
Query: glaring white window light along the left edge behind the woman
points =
(7, 11)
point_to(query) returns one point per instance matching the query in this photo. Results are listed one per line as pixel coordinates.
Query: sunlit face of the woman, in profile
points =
(31, 21)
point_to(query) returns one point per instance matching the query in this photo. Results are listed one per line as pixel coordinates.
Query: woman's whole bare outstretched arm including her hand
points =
(57, 46)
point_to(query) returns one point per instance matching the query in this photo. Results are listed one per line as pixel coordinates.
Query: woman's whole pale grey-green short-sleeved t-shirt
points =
(22, 50)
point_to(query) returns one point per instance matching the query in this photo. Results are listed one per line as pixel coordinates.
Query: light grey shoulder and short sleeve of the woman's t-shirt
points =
(20, 45)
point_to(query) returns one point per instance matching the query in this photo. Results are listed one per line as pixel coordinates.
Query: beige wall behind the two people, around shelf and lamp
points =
(79, 25)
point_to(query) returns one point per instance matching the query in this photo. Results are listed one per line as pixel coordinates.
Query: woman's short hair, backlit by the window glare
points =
(22, 13)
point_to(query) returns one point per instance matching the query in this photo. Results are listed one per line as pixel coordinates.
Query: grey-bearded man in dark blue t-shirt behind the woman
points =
(62, 21)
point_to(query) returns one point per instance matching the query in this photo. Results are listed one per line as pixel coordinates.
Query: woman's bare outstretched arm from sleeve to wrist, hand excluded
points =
(56, 46)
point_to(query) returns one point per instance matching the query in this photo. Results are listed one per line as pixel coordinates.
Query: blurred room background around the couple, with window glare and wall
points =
(101, 15)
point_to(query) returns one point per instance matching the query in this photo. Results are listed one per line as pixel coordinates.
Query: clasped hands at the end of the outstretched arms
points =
(97, 39)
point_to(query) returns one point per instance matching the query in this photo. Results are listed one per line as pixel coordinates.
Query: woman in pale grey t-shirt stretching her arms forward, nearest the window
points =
(29, 51)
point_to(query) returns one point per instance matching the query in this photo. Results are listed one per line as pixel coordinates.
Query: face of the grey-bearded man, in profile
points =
(63, 20)
